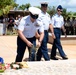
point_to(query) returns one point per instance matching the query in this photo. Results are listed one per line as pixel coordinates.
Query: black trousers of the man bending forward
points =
(21, 46)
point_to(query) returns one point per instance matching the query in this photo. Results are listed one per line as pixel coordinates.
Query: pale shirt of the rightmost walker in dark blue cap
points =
(57, 21)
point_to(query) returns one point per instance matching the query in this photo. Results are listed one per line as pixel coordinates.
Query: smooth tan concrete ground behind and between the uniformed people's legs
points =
(8, 49)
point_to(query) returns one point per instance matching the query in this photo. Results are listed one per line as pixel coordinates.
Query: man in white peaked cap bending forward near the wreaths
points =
(26, 33)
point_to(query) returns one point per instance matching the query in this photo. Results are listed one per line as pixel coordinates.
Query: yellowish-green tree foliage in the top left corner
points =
(6, 5)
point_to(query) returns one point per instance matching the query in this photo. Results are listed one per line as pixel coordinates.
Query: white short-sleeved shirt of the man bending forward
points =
(29, 29)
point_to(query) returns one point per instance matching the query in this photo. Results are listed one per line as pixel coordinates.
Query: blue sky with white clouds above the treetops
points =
(69, 5)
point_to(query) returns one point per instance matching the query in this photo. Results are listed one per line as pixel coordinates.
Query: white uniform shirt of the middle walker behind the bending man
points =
(45, 18)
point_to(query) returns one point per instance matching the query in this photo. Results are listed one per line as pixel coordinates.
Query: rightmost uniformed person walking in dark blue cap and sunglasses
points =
(58, 24)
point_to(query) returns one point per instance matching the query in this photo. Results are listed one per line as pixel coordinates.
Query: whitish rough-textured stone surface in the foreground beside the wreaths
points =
(61, 67)
